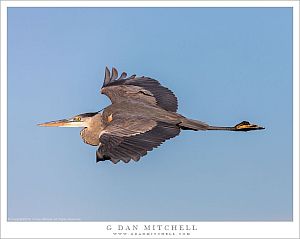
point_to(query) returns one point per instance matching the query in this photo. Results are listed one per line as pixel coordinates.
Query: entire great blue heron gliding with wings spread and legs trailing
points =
(141, 117)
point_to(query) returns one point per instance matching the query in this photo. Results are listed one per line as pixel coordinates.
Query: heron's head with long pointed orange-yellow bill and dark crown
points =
(81, 120)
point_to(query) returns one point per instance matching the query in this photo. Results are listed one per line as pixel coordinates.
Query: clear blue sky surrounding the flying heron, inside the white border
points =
(224, 64)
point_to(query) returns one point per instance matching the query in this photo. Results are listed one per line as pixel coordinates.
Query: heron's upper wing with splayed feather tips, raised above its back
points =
(142, 89)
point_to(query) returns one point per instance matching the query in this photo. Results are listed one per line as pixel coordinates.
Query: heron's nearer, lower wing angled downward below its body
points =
(133, 139)
